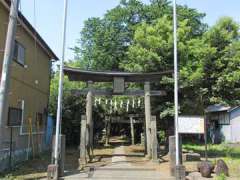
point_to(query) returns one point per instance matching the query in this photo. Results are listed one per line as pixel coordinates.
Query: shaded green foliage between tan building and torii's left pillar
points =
(72, 107)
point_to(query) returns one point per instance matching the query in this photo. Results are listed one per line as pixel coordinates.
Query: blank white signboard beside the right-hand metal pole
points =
(191, 124)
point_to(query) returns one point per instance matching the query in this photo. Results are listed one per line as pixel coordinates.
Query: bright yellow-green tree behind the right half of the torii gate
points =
(152, 51)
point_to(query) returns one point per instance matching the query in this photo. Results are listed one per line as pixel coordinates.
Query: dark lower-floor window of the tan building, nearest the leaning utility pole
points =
(14, 116)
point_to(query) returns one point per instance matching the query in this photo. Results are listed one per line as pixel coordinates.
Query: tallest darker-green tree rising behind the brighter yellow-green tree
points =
(105, 41)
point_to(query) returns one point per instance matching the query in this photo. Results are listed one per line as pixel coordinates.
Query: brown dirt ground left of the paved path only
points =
(36, 168)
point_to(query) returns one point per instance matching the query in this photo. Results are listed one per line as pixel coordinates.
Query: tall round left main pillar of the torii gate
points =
(89, 118)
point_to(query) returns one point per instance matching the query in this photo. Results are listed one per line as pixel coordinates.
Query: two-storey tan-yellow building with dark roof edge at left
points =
(29, 90)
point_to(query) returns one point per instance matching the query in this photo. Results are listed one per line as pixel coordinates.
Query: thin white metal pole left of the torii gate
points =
(60, 88)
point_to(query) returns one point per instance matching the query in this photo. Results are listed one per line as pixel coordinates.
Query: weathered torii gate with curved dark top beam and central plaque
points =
(118, 79)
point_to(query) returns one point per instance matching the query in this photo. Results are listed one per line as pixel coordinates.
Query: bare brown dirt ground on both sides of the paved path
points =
(36, 169)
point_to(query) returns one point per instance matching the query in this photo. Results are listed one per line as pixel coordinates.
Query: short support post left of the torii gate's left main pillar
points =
(83, 160)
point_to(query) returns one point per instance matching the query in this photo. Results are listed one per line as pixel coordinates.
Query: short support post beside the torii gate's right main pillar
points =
(154, 138)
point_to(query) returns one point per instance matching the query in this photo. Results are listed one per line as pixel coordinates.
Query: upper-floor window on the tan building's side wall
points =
(19, 53)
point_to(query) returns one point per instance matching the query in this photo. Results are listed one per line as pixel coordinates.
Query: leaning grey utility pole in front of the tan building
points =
(7, 59)
